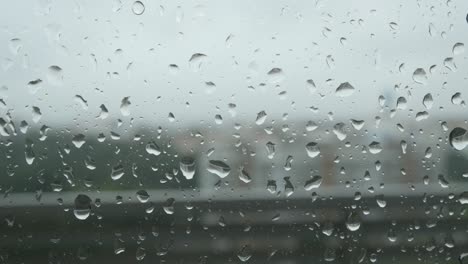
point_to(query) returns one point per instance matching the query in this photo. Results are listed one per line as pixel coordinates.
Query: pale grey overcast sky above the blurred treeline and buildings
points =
(83, 38)
